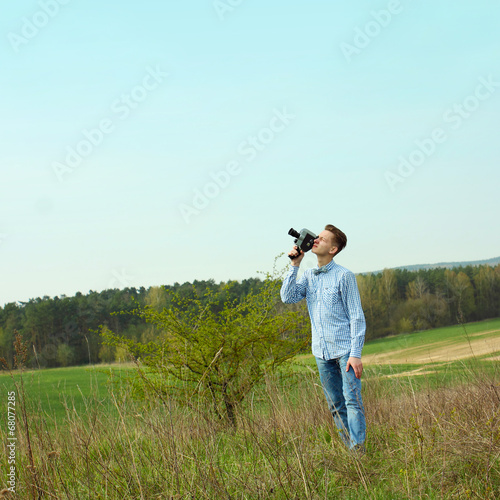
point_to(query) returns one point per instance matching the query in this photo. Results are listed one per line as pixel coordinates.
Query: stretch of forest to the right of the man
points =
(403, 301)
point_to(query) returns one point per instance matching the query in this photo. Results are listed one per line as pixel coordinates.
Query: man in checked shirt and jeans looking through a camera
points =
(338, 330)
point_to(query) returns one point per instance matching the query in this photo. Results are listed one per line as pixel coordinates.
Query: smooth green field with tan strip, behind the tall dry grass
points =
(450, 350)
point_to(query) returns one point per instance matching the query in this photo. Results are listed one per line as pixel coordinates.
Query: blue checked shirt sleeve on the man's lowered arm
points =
(354, 311)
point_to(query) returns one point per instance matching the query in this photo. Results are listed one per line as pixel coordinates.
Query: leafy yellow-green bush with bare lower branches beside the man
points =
(214, 348)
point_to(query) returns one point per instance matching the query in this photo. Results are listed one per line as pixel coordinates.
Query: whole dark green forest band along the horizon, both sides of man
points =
(64, 331)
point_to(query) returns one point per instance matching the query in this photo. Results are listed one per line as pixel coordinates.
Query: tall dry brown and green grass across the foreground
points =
(431, 443)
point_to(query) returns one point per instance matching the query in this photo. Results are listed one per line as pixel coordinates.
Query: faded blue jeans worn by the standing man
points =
(343, 394)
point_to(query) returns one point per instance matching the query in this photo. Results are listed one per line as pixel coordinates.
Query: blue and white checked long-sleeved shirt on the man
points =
(337, 320)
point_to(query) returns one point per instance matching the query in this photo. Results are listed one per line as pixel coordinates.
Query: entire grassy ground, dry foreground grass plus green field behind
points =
(433, 411)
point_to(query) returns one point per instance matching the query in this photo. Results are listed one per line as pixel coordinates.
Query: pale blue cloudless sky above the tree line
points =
(180, 89)
